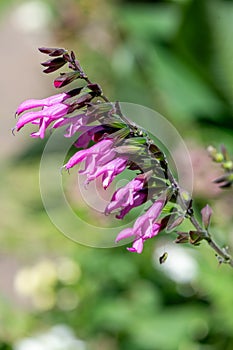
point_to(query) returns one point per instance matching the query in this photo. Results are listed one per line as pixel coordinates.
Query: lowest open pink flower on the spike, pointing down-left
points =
(145, 227)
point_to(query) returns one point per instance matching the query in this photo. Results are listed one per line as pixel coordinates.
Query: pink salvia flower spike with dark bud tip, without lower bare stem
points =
(107, 148)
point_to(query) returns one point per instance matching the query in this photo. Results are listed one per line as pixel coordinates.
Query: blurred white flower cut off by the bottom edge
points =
(59, 337)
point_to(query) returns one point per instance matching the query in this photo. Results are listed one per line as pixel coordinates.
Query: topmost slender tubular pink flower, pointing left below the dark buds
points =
(34, 103)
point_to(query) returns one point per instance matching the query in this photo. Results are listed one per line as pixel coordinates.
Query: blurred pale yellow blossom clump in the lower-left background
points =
(38, 282)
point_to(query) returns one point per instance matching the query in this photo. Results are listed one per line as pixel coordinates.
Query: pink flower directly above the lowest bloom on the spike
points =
(127, 197)
